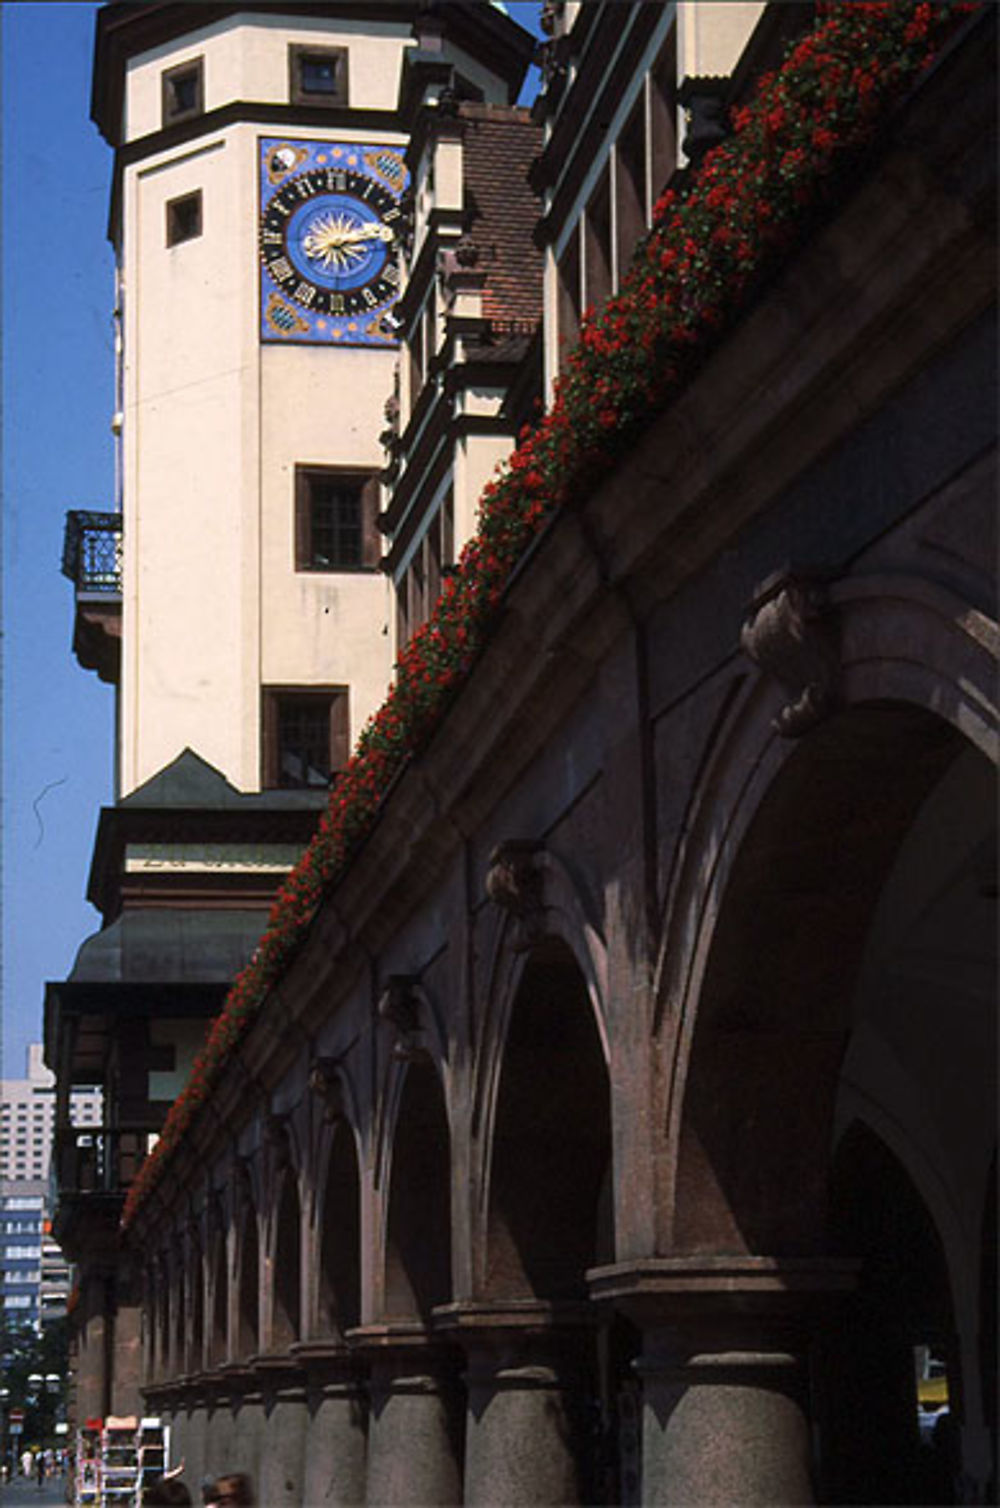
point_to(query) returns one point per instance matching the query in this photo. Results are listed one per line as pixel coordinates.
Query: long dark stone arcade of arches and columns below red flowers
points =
(628, 1123)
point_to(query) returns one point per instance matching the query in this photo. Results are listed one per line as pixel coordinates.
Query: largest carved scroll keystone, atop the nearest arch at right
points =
(791, 636)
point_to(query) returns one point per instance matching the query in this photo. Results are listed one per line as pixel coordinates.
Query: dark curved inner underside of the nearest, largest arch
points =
(759, 1053)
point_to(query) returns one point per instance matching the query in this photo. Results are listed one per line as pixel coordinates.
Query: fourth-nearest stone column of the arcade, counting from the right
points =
(337, 1432)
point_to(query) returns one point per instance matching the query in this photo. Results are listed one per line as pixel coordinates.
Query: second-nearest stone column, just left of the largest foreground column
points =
(530, 1423)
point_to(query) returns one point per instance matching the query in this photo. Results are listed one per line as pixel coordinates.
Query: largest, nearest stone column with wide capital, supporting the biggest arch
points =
(725, 1375)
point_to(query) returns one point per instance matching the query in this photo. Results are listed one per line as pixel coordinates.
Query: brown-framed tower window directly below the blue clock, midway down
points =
(336, 520)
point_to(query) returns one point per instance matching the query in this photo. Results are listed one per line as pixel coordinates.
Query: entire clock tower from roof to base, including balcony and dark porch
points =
(235, 595)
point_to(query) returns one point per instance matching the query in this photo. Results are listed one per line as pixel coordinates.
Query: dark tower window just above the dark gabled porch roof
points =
(305, 737)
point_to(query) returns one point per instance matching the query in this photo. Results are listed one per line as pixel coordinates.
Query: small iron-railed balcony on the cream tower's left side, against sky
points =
(93, 560)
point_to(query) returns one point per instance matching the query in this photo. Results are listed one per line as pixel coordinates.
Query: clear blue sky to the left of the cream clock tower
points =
(58, 400)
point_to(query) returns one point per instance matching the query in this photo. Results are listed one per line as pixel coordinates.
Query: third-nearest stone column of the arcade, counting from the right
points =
(416, 1420)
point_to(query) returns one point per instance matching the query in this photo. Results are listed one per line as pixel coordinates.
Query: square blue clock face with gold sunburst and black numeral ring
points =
(328, 242)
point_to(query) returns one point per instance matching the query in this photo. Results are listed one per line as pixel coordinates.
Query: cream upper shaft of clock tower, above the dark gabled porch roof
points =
(259, 206)
